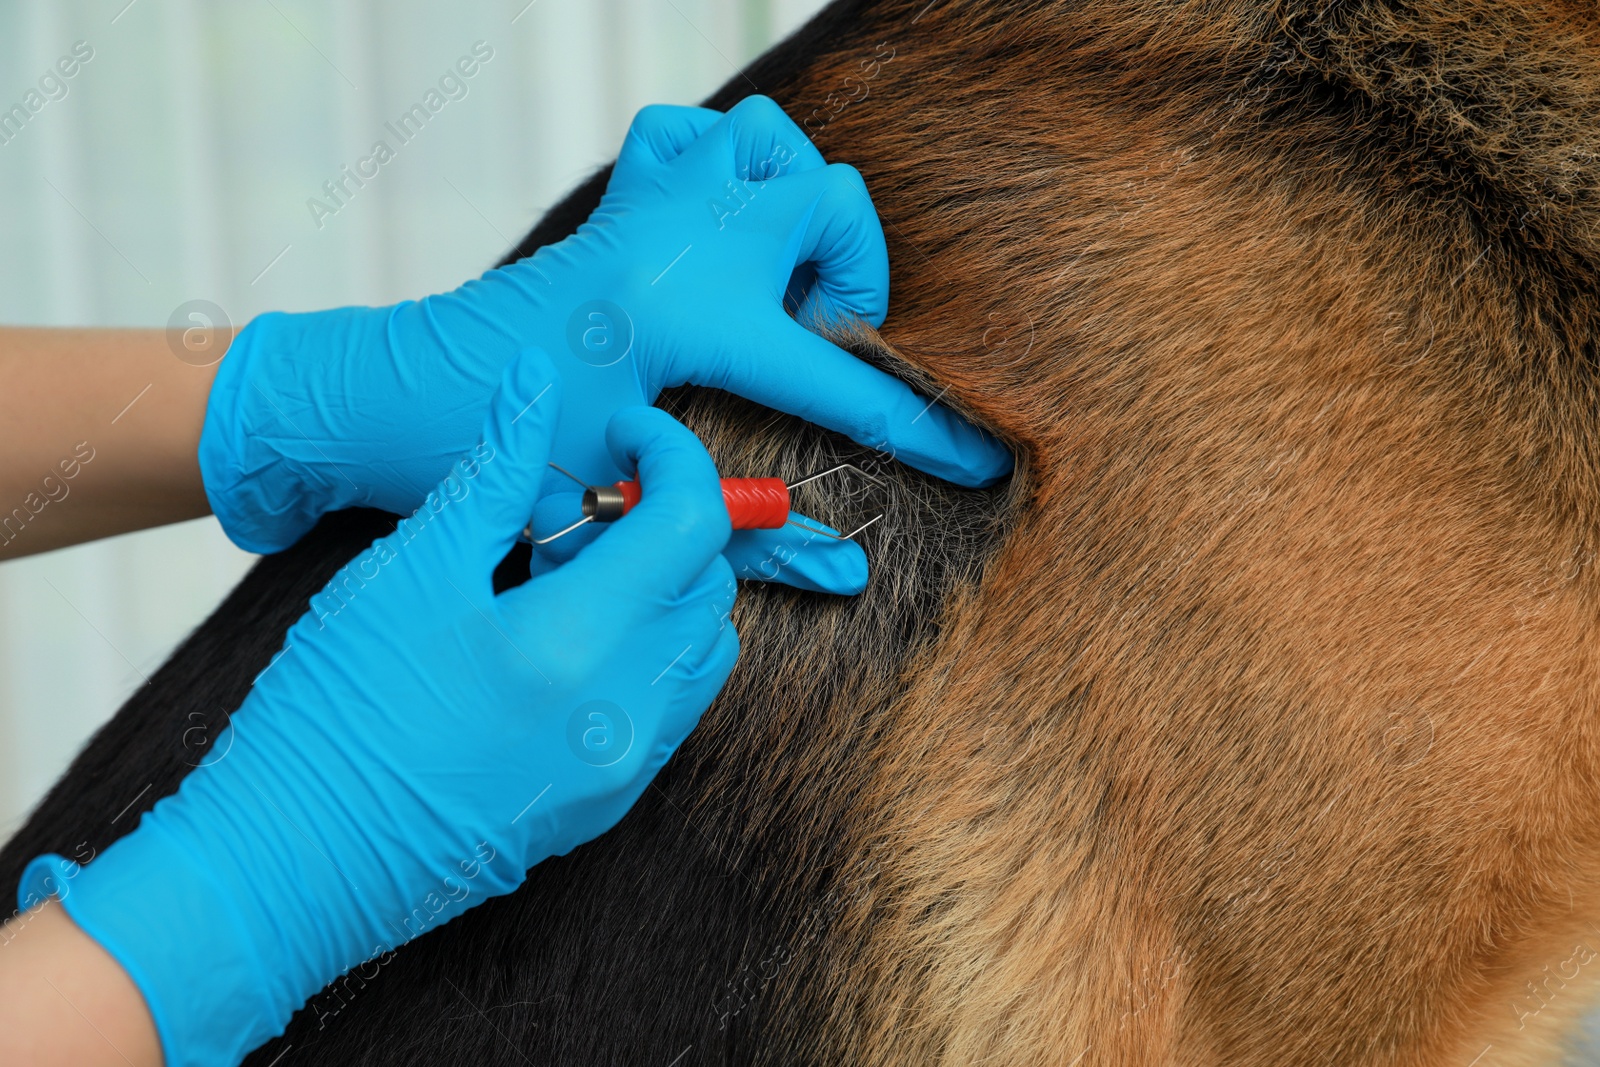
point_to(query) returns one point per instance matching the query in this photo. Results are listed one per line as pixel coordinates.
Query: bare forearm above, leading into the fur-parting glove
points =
(98, 434)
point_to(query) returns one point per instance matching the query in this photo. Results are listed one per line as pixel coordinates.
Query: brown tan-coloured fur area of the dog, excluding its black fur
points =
(1270, 735)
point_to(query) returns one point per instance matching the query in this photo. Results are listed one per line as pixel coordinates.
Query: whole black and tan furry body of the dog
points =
(1254, 722)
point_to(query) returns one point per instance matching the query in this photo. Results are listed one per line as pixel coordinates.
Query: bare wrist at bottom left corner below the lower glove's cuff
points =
(65, 1002)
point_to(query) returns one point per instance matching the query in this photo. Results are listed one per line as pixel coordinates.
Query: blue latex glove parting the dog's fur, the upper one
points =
(678, 278)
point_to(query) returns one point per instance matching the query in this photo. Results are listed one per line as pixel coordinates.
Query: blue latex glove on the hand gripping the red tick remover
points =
(420, 743)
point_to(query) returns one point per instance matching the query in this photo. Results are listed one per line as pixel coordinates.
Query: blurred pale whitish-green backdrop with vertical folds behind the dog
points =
(178, 167)
